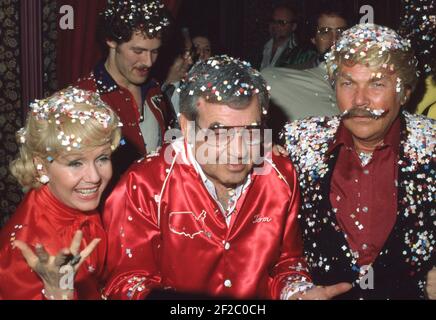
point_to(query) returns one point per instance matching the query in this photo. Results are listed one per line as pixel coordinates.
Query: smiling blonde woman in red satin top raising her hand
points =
(55, 238)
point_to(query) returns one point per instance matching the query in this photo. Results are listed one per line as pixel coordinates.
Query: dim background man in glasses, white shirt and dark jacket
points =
(282, 27)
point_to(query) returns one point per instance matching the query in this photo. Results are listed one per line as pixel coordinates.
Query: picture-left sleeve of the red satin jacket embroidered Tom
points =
(133, 240)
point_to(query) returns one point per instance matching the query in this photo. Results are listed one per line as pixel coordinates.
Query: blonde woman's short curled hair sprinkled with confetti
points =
(71, 119)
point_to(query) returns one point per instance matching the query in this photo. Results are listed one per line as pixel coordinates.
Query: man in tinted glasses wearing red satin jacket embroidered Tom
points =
(213, 213)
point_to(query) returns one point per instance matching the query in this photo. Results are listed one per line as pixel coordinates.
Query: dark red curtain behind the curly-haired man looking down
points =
(78, 50)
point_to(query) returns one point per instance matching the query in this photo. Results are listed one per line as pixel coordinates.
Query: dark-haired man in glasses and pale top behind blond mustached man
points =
(303, 93)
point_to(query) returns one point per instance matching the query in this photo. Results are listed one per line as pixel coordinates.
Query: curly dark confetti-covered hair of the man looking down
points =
(122, 18)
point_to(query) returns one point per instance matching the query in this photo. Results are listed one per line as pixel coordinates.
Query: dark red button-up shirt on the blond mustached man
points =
(365, 197)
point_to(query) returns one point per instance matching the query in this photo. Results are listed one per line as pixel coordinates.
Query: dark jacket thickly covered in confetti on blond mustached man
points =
(400, 270)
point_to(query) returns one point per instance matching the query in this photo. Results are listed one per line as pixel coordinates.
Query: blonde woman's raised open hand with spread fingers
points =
(48, 267)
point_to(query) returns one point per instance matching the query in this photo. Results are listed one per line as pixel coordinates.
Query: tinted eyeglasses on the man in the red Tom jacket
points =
(220, 135)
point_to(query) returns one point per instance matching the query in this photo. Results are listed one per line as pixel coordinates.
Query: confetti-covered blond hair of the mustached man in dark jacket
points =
(379, 48)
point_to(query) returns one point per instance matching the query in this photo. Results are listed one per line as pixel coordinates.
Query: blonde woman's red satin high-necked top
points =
(42, 219)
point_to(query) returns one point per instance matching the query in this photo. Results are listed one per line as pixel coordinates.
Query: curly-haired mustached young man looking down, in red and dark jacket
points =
(134, 32)
